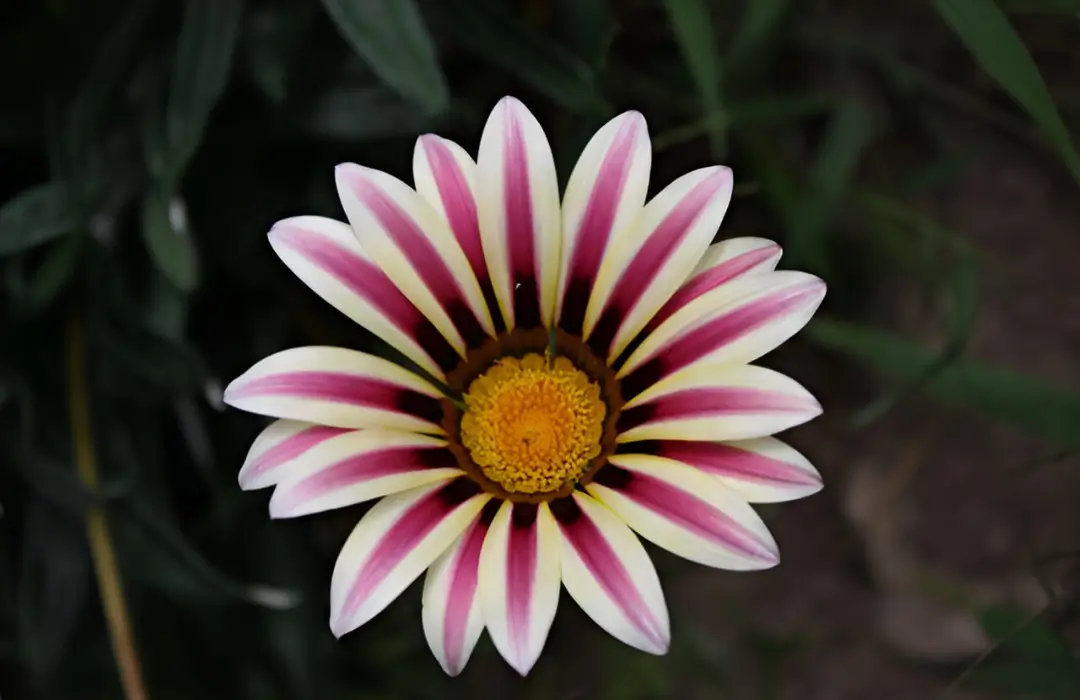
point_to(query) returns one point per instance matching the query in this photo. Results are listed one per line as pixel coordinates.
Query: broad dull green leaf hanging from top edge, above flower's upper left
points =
(391, 37)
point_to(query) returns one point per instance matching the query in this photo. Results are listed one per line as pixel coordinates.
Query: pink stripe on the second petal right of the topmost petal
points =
(643, 270)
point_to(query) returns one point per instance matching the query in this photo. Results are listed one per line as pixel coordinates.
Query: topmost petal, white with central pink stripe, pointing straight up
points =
(519, 212)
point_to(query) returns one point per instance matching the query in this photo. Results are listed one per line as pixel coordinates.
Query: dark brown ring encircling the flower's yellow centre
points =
(518, 344)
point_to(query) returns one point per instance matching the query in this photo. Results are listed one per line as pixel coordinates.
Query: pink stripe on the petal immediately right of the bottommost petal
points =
(609, 570)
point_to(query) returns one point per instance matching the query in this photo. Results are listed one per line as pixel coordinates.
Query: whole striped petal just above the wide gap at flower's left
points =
(328, 258)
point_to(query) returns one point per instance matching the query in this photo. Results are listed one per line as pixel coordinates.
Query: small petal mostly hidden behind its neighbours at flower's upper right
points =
(723, 263)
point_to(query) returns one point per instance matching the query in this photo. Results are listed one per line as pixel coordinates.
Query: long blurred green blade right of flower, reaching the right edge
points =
(1028, 403)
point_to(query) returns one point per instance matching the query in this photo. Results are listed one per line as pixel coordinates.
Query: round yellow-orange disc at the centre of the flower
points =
(533, 425)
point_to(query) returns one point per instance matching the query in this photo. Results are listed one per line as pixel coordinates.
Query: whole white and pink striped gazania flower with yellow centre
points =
(575, 375)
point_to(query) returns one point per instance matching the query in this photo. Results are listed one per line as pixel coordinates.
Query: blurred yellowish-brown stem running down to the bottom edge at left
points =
(98, 529)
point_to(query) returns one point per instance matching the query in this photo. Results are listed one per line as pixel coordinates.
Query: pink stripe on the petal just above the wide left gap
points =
(364, 279)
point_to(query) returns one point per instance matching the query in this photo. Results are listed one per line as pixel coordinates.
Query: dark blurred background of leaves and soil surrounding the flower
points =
(916, 155)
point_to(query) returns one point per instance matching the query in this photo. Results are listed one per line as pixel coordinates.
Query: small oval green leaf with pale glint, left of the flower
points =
(167, 237)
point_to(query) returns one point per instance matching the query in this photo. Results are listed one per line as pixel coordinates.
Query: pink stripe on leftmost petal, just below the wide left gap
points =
(340, 387)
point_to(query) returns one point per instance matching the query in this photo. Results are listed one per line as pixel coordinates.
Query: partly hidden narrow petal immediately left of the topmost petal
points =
(447, 178)
